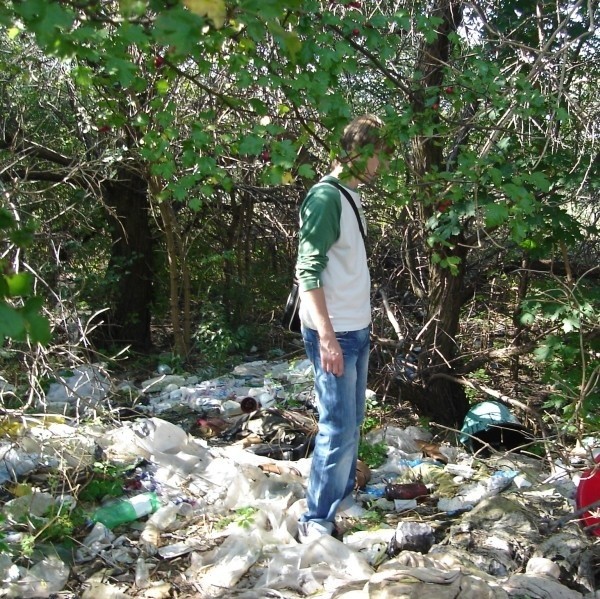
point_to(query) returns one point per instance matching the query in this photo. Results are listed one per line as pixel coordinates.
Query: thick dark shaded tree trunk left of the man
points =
(130, 265)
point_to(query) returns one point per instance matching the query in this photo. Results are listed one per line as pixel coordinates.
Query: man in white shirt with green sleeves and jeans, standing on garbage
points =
(335, 311)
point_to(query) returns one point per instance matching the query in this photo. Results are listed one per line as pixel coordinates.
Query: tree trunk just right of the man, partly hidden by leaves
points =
(438, 398)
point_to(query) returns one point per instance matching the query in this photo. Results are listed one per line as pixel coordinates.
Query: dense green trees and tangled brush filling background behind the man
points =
(161, 150)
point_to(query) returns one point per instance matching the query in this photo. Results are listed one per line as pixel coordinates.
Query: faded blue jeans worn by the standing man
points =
(341, 405)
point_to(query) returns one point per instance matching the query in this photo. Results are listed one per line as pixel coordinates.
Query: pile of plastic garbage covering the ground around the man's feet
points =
(216, 478)
